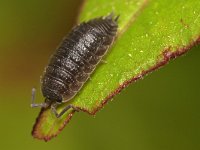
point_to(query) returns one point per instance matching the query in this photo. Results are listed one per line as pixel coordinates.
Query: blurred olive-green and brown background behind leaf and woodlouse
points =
(160, 112)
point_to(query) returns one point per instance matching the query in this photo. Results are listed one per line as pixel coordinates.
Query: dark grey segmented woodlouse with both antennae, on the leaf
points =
(74, 60)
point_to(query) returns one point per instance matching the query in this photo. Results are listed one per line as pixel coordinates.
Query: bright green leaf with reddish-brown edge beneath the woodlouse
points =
(150, 34)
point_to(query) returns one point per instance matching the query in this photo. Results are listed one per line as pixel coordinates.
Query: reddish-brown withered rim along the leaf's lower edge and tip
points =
(167, 56)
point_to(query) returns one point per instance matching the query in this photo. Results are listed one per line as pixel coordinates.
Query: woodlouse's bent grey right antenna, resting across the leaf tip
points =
(58, 115)
